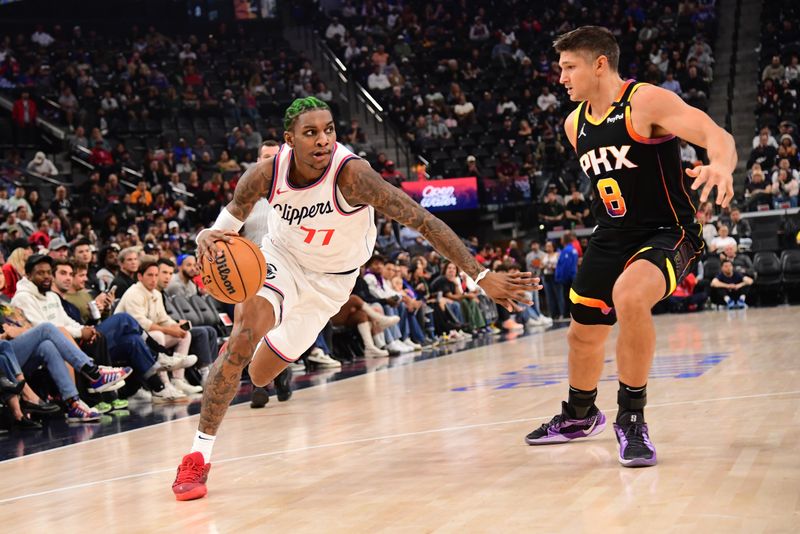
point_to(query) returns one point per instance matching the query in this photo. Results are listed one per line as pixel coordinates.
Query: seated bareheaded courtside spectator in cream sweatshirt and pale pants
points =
(144, 303)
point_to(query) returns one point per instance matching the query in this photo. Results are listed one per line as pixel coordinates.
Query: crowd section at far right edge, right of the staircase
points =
(773, 176)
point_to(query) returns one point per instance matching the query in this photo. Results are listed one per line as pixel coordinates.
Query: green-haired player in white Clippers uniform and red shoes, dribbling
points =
(321, 230)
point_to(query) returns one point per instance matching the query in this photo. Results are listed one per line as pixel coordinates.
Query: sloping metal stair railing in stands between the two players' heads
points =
(358, 99)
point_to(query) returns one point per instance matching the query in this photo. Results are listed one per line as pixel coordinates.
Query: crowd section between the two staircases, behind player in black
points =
(475, 89)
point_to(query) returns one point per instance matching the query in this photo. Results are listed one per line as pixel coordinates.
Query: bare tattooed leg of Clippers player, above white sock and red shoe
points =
(253, 319)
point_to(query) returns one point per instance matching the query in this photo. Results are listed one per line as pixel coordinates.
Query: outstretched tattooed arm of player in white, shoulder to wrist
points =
(360, 184)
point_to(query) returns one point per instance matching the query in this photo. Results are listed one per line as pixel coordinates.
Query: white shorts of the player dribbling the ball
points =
(303, 300)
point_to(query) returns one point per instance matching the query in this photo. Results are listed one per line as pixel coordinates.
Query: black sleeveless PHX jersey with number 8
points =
(638, 182)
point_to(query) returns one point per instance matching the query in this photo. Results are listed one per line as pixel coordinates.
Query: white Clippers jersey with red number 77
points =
(315, 223)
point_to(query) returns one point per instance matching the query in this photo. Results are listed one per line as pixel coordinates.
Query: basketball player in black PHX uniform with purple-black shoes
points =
(626, 138)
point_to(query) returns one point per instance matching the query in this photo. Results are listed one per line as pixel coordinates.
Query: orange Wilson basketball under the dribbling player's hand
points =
(237, 274)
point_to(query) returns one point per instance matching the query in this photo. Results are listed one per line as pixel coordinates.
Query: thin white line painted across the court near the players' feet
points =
(377, 438)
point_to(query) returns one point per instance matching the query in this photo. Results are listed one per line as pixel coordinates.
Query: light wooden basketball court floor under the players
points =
(437, 446)
